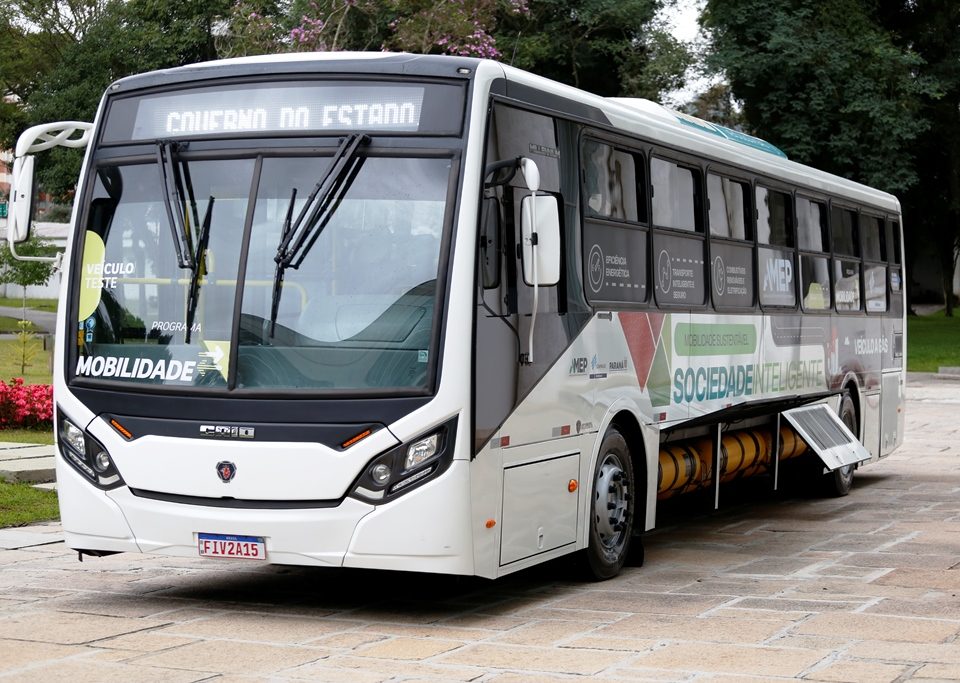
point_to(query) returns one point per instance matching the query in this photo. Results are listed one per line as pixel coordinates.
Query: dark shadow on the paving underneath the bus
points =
(430, 598)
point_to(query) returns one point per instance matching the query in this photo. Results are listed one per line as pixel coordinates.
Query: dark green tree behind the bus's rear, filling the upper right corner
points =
(867, 90)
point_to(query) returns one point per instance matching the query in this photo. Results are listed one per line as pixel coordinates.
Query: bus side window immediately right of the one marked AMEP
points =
(813, 238)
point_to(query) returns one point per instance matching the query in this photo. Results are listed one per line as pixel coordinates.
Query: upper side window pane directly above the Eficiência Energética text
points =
(613, 183)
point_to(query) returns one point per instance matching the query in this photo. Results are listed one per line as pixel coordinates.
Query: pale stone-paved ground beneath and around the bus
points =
(862, 588)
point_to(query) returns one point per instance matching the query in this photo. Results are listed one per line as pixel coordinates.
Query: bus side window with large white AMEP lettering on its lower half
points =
(775, 251)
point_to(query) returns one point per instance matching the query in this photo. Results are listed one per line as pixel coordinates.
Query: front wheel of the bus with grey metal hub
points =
(612, 506)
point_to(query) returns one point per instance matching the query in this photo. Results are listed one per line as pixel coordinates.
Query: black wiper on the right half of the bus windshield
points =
(298, 237)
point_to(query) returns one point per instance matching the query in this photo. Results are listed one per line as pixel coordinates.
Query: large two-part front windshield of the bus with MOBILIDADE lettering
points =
(204, 304)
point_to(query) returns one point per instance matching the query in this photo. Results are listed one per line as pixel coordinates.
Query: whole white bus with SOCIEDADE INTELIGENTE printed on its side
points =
(442, 315)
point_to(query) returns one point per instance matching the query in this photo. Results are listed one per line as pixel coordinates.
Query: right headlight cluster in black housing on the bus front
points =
(405, 467)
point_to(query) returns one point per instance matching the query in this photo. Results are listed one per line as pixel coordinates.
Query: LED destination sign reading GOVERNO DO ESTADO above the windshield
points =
(287, 108)
